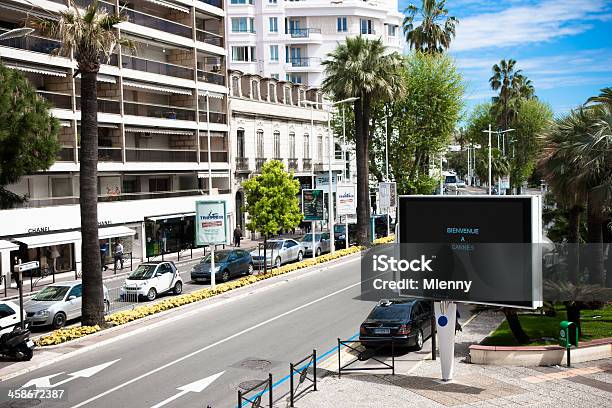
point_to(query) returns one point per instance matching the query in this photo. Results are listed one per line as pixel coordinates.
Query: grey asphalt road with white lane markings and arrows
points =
(243, 339)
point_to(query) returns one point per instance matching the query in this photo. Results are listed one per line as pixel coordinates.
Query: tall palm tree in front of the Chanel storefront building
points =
(91, 36)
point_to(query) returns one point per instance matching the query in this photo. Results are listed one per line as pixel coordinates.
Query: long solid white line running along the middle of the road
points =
(240, 333)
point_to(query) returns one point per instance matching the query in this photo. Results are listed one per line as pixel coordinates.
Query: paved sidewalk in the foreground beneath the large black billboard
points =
(582, 385)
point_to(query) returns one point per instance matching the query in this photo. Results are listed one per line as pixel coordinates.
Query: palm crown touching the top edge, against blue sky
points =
(432, 36)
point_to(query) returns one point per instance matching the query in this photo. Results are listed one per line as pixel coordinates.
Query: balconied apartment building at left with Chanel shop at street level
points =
(160, 109)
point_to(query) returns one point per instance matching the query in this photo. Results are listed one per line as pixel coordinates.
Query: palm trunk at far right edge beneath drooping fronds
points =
(595, 238)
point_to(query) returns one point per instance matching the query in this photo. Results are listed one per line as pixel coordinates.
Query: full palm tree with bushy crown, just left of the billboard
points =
(360, 68)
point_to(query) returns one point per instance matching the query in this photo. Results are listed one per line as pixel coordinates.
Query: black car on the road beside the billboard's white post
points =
(407, 321)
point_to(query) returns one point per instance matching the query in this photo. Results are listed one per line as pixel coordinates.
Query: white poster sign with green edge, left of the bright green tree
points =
(211, 227)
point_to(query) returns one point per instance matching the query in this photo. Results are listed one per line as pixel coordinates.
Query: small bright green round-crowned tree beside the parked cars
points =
(271, 201)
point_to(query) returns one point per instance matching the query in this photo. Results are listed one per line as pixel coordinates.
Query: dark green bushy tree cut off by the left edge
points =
(28, 133)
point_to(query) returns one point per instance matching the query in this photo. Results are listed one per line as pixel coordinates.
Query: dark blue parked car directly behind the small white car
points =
(228, 263)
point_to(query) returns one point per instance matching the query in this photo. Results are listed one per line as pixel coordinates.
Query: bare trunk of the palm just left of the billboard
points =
(363, 196)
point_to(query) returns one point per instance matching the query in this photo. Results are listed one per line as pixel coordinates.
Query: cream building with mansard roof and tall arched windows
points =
(279, 120)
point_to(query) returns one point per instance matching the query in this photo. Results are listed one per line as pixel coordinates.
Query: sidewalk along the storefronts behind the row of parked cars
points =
(36, 283)
